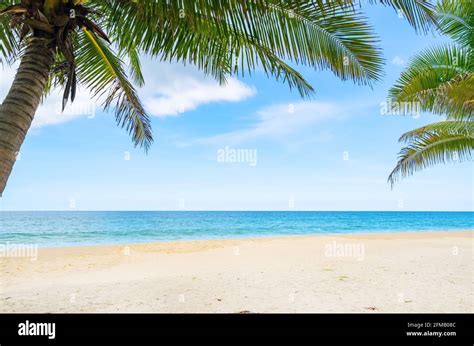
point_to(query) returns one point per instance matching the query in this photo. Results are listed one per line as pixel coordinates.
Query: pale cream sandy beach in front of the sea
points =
(392, 272)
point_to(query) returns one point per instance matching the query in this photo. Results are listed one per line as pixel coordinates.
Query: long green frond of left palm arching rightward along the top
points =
(223, 37)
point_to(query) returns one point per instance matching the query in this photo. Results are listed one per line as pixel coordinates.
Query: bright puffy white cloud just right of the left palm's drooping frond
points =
(172, 89)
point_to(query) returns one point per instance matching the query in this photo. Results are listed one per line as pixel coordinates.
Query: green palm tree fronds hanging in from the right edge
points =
(441, 80)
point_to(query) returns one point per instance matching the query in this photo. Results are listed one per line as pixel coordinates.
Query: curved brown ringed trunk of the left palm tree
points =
(20, 105)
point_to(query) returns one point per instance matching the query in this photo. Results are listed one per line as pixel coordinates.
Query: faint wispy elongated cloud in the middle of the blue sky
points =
(279, 121)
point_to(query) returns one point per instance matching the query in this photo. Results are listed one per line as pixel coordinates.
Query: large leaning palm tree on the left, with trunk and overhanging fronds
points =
(64, 43)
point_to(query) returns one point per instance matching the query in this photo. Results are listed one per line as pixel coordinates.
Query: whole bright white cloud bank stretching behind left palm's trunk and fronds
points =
(170, 89)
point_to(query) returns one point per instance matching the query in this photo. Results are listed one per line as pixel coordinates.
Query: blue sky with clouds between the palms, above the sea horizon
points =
(333, 152)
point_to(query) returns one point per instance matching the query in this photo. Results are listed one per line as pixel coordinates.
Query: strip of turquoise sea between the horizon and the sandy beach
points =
(89, 228)
